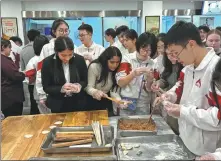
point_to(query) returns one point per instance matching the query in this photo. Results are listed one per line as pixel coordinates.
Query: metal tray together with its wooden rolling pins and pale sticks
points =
(95, 138)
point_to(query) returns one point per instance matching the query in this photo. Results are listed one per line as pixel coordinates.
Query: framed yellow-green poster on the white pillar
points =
(152, 24)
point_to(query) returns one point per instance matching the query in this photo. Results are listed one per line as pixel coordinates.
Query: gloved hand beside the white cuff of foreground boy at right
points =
(172, 109)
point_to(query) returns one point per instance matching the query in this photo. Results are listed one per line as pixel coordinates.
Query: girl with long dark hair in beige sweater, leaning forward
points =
(101, 80)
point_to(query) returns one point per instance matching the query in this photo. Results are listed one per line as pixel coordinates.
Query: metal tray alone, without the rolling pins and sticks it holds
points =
(109, 139)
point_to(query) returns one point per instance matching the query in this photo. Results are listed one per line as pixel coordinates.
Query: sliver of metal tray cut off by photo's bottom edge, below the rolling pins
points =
(111, 158)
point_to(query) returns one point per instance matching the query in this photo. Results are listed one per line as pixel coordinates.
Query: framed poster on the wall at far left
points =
(9, 27)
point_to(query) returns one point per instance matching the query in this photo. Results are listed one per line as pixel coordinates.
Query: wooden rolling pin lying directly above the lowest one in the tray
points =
(73, 137)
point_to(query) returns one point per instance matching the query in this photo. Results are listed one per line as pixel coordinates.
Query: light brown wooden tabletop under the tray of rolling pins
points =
(14, 145)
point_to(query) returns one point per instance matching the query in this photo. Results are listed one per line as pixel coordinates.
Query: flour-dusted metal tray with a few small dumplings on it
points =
(165, 147)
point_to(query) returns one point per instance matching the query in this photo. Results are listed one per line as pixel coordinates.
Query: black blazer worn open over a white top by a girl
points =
(78, 74)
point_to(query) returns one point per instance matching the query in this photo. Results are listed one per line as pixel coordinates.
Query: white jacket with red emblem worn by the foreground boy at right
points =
(199, 124)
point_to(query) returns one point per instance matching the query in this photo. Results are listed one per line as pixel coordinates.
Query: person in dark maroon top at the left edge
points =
(12, 96)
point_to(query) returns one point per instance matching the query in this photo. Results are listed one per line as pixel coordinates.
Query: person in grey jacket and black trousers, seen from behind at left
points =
(26, 54)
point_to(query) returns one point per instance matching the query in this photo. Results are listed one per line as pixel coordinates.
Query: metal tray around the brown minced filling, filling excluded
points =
(131, 133)
